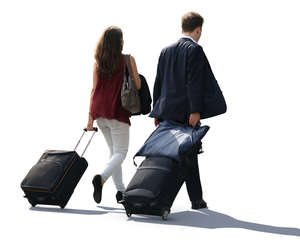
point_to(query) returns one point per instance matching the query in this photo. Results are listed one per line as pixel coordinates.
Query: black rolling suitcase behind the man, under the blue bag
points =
(154, 187)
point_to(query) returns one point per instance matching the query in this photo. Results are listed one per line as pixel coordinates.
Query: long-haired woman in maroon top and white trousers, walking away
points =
(106, 108)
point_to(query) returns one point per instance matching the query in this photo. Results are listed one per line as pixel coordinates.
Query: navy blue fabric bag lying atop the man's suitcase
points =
(173, 140)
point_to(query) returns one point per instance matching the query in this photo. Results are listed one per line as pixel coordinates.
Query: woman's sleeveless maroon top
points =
(106, 100)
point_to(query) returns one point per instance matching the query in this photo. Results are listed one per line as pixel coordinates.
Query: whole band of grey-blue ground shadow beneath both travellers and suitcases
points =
(203, 218)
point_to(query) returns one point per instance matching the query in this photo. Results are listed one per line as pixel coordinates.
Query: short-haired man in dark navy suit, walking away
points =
(178, 92)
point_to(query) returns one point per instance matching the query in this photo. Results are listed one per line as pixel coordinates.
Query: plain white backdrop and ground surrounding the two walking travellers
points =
(250, 168)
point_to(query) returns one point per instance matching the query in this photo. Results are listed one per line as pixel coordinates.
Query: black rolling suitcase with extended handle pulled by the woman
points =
(52, 180)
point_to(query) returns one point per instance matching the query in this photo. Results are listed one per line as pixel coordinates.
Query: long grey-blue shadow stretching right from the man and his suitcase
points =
(206, 218)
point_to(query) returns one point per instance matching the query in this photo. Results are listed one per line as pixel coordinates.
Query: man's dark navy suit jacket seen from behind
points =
(183, 78)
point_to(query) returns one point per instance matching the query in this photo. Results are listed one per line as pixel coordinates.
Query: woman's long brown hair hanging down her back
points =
(108, 53)
